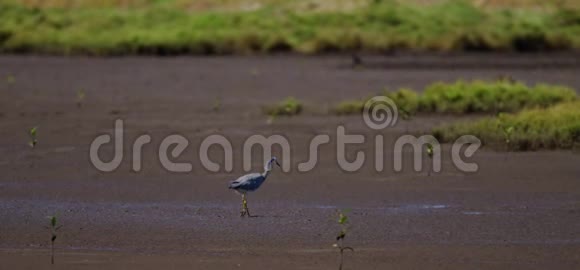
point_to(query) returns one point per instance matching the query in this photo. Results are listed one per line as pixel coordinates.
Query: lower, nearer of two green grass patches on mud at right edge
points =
(548, 128)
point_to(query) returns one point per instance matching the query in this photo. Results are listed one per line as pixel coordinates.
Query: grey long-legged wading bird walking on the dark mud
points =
(251, 182)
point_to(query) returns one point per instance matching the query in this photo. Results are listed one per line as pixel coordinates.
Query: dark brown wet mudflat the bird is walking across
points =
(520, 211)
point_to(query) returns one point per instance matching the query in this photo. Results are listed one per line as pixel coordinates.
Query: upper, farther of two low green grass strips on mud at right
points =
(471, 97)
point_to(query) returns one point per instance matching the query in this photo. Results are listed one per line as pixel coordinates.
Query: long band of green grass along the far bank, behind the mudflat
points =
(381, 26)
